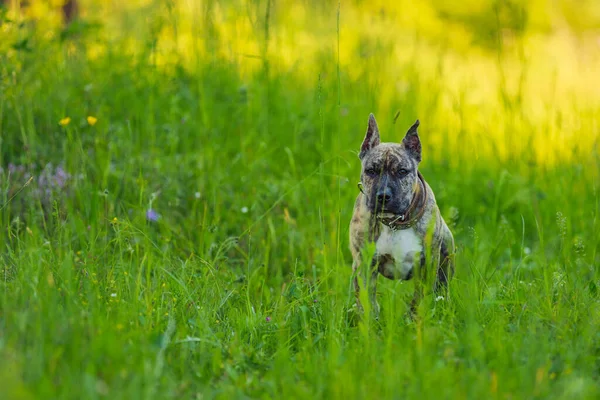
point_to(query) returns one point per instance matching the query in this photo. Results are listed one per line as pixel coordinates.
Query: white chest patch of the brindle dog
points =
(402, 246)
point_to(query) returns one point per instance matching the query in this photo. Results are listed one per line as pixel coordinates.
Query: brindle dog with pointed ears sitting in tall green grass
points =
(397, 211)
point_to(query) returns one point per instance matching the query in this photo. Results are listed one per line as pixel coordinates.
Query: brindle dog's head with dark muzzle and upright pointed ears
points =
(389, 170)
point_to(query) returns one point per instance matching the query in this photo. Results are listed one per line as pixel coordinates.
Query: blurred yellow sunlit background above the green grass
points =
(533, 65)
